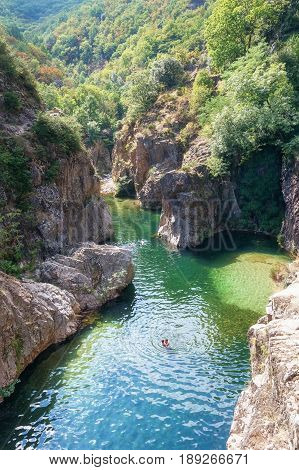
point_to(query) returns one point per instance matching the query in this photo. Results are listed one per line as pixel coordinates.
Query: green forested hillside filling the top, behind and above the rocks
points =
(232, 65)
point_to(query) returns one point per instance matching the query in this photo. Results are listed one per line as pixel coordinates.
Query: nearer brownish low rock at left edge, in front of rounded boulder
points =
(33, 316)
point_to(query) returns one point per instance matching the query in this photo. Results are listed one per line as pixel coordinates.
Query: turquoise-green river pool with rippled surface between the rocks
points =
(113, 386)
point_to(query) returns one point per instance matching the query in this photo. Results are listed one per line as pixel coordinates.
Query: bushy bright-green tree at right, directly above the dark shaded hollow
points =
(259, 108)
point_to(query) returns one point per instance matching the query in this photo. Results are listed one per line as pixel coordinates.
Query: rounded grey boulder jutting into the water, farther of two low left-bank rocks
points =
(93, 274)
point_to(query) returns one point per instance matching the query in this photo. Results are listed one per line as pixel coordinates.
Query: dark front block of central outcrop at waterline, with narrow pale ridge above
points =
(195, 206)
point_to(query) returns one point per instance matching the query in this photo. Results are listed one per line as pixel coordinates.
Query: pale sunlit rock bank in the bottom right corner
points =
(267, 412)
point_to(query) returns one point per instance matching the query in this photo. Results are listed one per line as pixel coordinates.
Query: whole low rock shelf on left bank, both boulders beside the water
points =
(35, 315)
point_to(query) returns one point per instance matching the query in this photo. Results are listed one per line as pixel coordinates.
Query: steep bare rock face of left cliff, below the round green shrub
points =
(71, 211)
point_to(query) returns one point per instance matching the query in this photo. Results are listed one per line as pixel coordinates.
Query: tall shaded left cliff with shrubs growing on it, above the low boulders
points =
(47, 178)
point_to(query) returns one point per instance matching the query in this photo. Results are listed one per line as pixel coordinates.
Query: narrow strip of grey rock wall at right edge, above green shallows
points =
(290, 189)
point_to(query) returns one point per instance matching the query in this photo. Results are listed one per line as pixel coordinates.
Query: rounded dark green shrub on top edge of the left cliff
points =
(61, 131)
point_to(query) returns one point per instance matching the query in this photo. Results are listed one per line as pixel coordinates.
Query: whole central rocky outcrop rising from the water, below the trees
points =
(166, 162)
